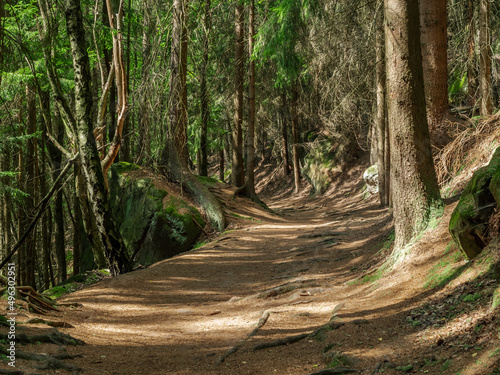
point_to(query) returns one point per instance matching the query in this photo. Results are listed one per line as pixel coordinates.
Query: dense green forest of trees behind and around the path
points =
(216, 87)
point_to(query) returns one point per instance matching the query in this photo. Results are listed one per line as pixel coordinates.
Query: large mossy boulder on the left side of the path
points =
(154, 224)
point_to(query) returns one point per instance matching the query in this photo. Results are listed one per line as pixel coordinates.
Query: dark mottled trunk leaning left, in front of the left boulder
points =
(114, 248)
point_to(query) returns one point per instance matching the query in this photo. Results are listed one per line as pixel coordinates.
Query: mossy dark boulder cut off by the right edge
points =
(469, 220)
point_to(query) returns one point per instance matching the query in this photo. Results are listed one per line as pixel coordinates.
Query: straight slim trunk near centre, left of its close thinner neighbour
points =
(237, 176)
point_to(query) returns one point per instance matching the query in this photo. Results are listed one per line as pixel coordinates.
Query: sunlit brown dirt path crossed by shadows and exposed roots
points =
(180, 315)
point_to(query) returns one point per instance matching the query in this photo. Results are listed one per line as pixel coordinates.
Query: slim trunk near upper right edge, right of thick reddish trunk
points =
(486, 105)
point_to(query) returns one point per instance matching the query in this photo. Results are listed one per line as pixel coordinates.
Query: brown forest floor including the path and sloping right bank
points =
(309, 263)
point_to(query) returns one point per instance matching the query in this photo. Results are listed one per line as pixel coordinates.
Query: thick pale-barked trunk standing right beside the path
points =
(415, 191)
